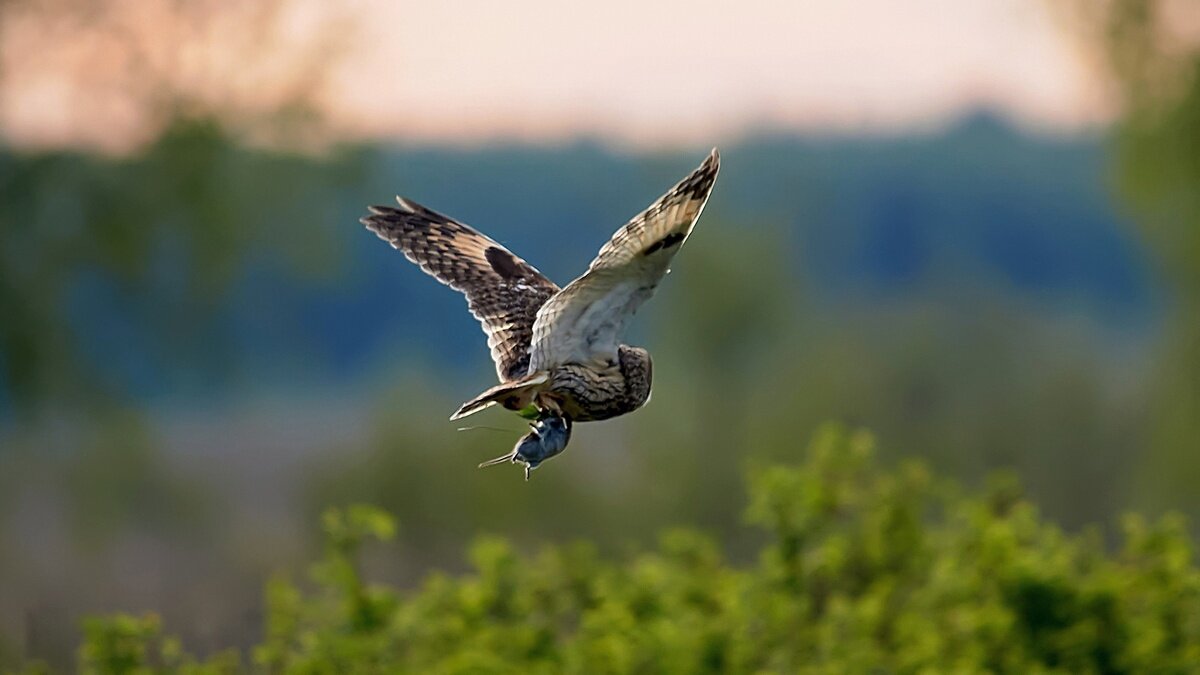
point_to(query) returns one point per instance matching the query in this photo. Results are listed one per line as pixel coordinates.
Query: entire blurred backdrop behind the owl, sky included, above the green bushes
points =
(971, 228)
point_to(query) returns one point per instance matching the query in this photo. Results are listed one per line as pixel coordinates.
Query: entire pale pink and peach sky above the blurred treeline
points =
(667, 73)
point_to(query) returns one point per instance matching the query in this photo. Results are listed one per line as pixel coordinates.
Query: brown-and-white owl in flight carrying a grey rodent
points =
(557, 351)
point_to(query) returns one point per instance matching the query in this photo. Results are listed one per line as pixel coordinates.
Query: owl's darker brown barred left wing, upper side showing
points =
(502, 291)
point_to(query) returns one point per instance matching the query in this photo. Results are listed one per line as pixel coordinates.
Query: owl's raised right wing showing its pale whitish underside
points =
(585, 321)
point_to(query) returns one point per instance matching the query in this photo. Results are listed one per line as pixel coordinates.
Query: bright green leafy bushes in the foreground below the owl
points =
(863, 571)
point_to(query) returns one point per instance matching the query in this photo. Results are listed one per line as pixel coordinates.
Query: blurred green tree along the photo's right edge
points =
(1153, 51)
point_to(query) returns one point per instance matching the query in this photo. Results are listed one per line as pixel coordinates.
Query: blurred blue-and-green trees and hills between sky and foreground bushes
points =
(201, 350)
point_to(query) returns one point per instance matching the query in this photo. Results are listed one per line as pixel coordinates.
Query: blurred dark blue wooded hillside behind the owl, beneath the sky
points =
(871, 220)
